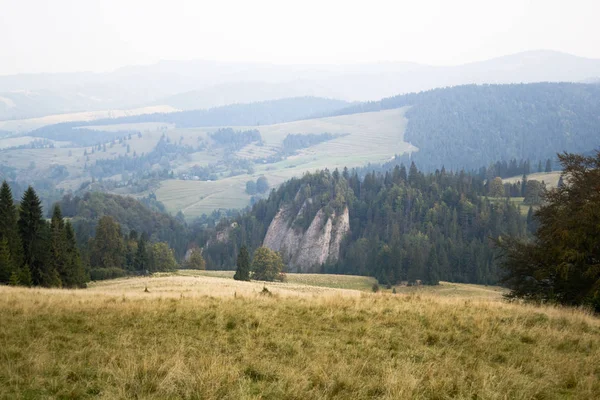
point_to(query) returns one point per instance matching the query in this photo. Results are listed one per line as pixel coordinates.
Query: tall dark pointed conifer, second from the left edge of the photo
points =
(34, 237)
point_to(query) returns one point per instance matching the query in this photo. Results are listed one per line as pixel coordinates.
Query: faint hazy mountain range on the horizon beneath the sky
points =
(204, 84)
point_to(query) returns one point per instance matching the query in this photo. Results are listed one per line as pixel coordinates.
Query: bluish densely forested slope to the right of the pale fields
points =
(470, 126)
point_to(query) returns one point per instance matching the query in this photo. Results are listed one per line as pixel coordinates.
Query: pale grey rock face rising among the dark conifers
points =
(307, 251)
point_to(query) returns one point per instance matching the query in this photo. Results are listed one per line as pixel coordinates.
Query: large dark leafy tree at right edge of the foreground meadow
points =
(562, 263)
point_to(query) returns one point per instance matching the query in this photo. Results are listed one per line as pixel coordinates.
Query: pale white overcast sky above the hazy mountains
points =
(86, 35)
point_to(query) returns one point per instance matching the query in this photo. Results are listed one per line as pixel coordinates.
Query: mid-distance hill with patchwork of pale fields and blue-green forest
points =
(193, 162)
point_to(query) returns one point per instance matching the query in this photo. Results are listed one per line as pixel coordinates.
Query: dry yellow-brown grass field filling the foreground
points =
(216, 338)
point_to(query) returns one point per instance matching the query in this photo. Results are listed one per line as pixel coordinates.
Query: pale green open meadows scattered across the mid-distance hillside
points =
(371, 137)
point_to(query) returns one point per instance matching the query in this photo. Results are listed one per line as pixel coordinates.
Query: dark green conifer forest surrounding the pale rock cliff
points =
(405, 225)
